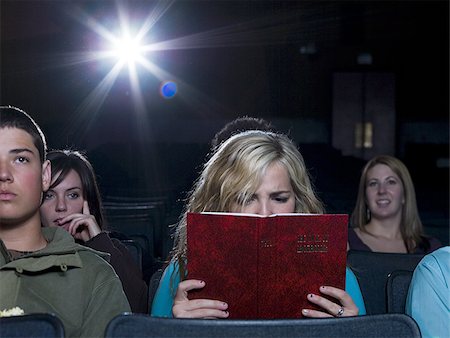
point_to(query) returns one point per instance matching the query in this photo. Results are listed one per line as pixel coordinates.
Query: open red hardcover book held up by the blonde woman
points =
(264, 267)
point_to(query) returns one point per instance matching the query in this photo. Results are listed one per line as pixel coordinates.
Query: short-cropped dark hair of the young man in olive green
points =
(12, 117)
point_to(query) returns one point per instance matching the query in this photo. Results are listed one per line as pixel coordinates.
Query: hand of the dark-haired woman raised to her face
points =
(81, 226)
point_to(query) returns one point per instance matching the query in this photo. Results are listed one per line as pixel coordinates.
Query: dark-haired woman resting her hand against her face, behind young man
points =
(73, 202)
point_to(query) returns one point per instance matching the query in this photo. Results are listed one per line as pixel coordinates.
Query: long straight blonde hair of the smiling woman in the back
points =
(411, 226)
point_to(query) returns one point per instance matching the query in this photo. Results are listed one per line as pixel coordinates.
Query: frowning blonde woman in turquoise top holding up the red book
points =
(252, 172)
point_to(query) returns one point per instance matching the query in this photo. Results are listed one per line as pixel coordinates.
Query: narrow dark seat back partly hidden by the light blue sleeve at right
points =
(397, 290)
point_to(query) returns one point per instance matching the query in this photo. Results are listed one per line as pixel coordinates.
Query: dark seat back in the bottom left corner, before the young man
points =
(35, 325)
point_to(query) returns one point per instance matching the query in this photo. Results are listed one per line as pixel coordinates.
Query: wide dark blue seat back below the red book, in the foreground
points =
(379, 326)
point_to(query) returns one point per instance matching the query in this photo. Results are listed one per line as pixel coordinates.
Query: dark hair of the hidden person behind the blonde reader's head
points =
(239, 125)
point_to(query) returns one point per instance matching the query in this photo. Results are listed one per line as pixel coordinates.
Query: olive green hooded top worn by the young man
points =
(70, 280)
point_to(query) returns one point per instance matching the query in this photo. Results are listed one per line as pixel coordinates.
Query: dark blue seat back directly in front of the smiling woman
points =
(372, 270)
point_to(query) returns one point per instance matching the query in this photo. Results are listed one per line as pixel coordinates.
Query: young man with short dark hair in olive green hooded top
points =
(43, 269)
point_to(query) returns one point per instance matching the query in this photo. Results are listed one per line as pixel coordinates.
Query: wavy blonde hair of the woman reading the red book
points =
(234, 173)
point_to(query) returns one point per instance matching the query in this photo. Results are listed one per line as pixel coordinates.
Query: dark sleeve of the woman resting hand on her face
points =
(129, 273)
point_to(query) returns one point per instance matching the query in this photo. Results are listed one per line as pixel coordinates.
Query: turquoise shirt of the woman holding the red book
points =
(163, 301)
